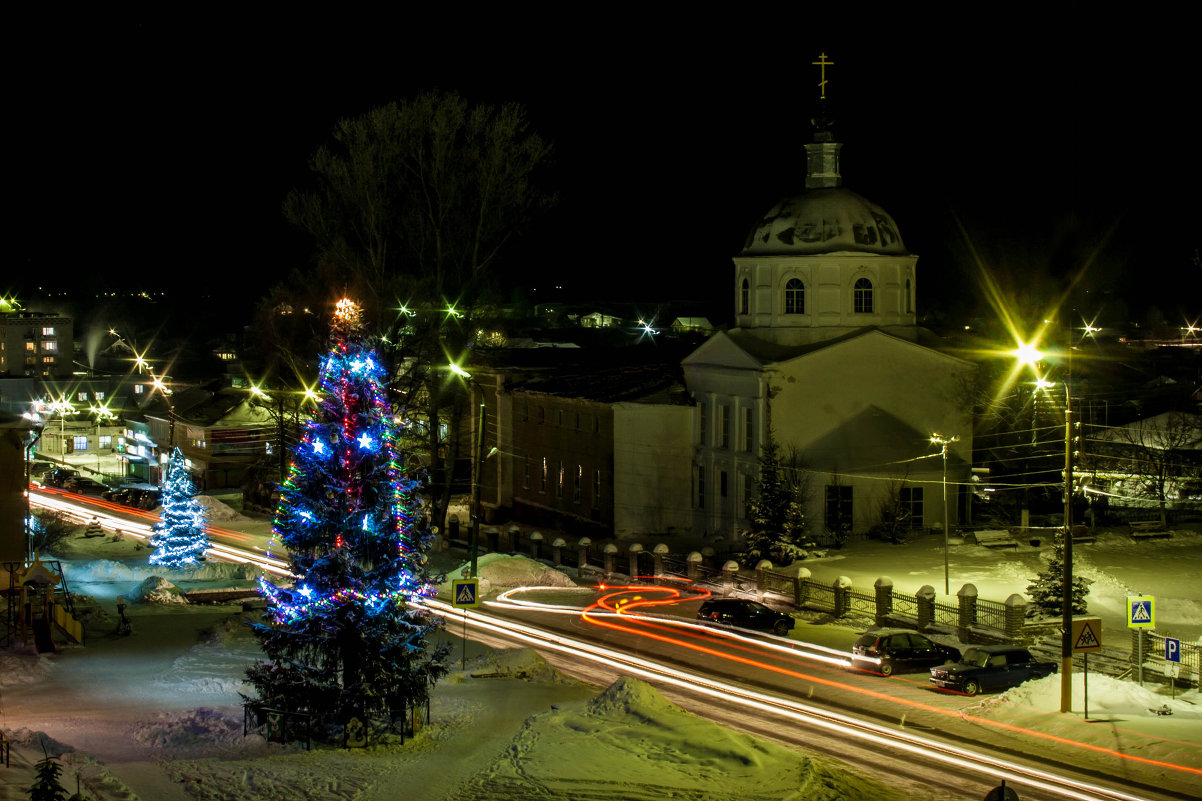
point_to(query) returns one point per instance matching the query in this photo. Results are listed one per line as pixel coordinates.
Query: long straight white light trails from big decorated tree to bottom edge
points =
(846, 726)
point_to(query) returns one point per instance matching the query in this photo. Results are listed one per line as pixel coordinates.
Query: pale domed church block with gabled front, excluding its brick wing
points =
(828, 359)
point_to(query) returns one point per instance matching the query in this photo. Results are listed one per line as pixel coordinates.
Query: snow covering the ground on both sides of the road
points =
(157, 715)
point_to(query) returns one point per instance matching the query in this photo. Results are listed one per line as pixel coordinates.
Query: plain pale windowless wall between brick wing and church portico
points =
(653, 468)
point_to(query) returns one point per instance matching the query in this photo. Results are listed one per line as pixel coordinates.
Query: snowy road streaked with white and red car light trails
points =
(898, 729)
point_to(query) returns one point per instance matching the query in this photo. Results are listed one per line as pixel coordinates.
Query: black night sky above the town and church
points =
(156, 153)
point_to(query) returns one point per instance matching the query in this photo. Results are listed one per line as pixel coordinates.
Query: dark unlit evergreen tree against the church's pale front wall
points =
(777, 520)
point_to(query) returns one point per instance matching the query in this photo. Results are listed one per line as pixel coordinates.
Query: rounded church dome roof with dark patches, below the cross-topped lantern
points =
(825, 221)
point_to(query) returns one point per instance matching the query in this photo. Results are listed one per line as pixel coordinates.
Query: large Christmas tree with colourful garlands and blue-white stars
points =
(347, 638)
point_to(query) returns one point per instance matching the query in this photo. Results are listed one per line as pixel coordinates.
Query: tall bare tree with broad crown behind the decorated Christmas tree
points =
(410, 211)
